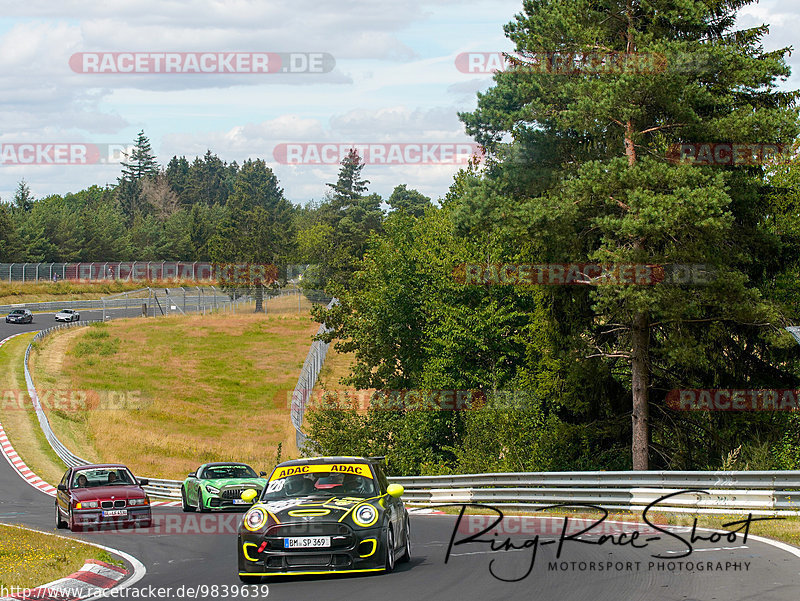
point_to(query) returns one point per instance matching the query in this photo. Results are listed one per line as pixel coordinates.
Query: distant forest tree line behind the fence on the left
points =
(201, 210)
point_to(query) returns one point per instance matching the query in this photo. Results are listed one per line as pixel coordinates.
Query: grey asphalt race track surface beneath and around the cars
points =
(189, 550)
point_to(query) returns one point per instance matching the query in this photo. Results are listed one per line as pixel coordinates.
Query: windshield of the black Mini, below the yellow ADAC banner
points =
(320, 484)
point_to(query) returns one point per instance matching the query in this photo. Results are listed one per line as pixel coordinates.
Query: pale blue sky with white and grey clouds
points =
(392, 79)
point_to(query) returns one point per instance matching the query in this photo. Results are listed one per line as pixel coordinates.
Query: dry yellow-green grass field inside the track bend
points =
(176, 392)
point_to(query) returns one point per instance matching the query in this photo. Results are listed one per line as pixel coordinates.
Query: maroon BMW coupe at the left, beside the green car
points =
(94, 496)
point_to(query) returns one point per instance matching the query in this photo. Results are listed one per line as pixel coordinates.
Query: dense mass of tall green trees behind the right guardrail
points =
(578, 170)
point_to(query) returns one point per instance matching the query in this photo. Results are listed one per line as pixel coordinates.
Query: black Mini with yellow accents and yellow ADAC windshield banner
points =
(324, 515)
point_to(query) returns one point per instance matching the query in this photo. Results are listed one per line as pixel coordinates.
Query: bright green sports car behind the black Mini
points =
(220, 486)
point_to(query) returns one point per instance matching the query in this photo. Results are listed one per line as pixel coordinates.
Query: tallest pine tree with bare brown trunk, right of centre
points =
(585, 178)
